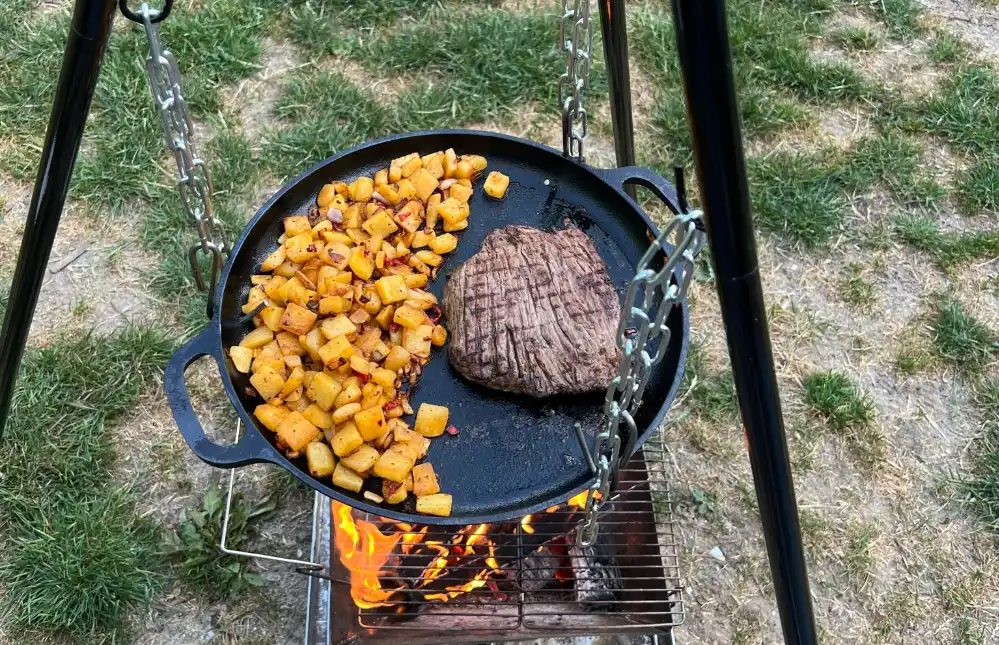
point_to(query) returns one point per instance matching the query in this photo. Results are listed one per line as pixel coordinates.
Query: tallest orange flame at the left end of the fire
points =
(363, 550)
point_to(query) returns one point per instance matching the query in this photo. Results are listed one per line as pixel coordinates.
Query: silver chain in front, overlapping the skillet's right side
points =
(643, 337)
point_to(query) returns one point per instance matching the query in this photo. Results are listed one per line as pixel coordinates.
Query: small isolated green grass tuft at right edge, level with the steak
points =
(960, 339)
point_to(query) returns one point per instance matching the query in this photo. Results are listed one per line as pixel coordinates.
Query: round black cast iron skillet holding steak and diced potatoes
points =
(513, 455)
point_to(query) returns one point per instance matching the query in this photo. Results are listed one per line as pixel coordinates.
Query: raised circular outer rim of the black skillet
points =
(271, 455)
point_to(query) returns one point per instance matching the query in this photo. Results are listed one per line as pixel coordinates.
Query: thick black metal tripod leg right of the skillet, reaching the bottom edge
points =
(702, 38)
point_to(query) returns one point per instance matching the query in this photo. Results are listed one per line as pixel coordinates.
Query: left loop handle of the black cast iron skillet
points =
(248, 450)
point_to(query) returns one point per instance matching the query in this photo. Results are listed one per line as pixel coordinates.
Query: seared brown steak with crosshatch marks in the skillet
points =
(534, 313)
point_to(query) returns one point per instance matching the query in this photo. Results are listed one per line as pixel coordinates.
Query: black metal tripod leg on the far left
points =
(81, 63)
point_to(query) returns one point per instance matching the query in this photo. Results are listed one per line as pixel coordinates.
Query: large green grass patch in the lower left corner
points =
(75, 558)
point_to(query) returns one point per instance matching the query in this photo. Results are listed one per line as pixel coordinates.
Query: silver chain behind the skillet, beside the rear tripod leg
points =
(577, 41)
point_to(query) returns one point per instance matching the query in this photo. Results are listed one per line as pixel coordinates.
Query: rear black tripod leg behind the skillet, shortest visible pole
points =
(615, 37)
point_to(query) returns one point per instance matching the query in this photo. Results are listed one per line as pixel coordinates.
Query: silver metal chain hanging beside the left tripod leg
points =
(194, 181)
